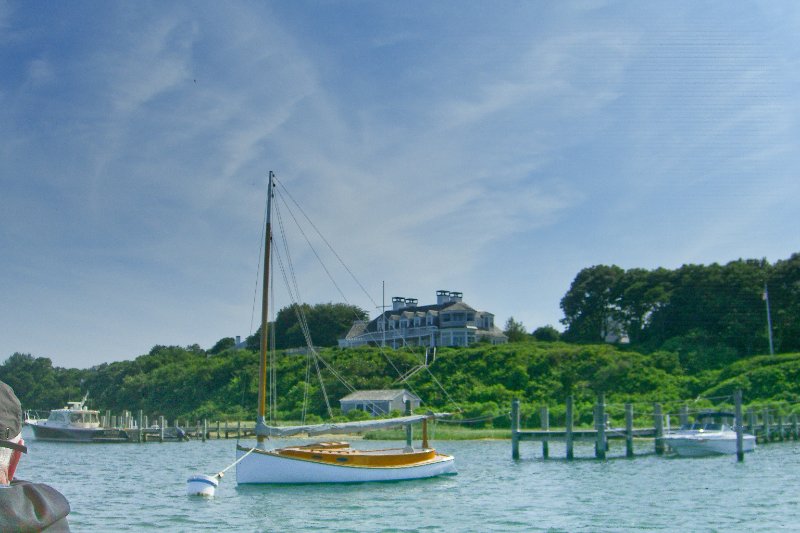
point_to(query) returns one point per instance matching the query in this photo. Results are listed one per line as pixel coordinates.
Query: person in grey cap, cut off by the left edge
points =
(24, 506)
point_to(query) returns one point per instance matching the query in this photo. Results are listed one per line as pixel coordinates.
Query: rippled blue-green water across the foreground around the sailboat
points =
(136, 487)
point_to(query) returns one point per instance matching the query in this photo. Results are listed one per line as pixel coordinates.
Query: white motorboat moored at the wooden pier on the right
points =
(709, 435)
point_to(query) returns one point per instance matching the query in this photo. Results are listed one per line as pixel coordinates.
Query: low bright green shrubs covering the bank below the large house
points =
(476, 382)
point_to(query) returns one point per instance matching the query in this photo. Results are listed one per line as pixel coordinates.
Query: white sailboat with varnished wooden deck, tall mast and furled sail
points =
(330, 461)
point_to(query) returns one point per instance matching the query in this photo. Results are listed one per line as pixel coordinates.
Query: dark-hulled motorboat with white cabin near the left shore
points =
(75, 423)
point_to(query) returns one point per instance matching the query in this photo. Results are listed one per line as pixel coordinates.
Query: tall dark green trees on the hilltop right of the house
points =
(711, 315)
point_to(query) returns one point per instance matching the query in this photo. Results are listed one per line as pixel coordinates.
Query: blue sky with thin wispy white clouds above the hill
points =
(492, 148)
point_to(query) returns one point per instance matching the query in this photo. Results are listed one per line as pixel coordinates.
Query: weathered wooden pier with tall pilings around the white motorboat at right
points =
(763, 424)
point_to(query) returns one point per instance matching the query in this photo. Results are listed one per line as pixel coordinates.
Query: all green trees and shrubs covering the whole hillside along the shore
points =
(694, 331)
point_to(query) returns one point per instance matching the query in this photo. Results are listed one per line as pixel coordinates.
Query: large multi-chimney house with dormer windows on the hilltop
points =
(448, 322)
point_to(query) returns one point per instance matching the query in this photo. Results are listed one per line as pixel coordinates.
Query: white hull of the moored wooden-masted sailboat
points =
(269, 467)
